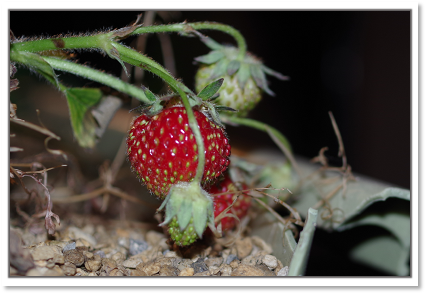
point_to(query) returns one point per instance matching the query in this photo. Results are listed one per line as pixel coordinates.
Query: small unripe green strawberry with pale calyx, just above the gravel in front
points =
(189, 208)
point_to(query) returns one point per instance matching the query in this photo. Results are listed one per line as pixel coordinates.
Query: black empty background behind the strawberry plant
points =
(353, 63)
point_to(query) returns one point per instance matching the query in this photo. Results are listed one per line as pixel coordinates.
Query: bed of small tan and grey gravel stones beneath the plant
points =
(92, 246)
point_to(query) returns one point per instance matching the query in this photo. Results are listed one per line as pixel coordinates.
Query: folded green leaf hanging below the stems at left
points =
(80, 100)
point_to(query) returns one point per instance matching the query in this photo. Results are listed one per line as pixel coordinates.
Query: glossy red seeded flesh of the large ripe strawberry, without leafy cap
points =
(162, 149)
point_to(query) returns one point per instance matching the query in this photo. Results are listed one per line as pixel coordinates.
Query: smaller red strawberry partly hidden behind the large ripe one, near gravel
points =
(221, 202)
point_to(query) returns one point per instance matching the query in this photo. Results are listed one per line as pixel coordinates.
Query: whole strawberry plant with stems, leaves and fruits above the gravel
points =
(178, 147)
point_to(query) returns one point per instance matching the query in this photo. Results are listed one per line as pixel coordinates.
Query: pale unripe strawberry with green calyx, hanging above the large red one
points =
(244, 76)
